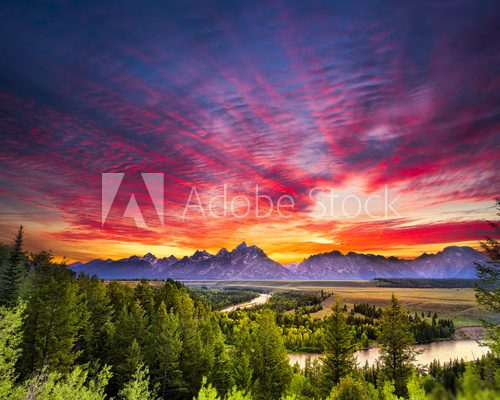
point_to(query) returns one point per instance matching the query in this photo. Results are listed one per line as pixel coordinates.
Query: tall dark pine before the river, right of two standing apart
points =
(397, 350)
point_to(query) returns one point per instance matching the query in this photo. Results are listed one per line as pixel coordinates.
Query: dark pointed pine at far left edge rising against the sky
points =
(13, 271)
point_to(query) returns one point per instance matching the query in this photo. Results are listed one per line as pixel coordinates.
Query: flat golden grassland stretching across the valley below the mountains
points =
(456, 303)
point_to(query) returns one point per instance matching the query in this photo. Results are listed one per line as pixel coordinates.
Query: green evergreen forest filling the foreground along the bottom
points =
(64, 336)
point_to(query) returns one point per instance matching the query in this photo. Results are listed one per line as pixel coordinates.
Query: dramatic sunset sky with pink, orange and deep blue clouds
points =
(377, 124)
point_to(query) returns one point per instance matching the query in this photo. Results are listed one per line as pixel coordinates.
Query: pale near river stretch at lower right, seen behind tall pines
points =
(442, 351)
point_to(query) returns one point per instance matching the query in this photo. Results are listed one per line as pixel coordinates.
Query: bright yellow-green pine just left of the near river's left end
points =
(272, 371)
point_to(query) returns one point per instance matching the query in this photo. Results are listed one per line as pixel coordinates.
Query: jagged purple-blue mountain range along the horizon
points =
(250, 262)
